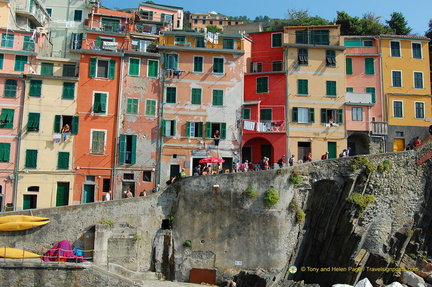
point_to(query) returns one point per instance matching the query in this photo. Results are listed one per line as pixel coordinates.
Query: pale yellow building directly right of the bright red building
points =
(315, 65)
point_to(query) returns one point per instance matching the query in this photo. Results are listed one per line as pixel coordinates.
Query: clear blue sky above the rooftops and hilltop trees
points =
(417, 16)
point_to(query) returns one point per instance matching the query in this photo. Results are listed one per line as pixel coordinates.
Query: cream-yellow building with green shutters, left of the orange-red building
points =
(46, 174)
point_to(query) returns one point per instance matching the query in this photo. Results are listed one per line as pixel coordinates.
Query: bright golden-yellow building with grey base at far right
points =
(406, 88)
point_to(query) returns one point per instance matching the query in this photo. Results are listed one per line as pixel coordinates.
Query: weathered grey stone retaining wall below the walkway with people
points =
(230, 231)
